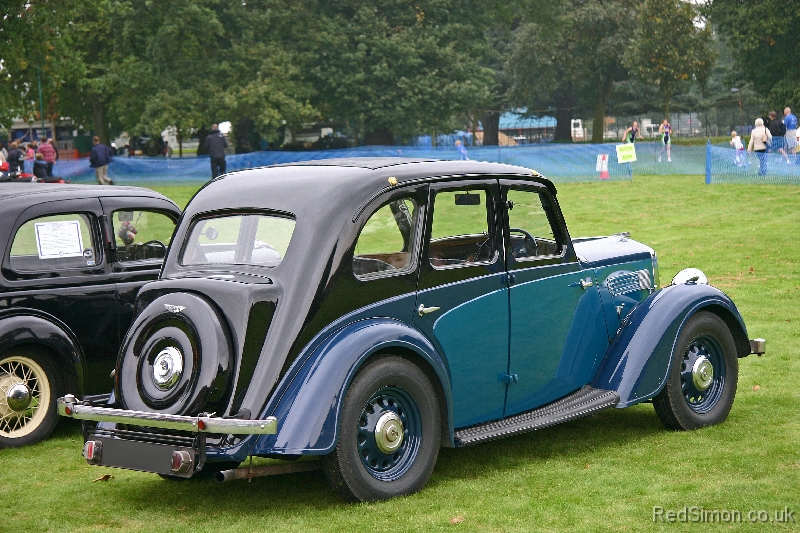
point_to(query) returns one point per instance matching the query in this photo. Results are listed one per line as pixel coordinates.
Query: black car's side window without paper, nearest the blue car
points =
(141, 235)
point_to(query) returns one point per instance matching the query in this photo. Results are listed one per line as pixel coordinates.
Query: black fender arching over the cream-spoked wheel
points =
(33, 327)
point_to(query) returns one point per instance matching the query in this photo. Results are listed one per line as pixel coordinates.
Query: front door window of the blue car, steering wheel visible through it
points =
(529, 226)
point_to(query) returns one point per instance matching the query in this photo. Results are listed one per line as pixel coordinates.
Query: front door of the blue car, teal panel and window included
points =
(557, 330)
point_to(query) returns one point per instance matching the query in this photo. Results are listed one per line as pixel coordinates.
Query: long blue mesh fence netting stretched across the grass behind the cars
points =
(559, 162)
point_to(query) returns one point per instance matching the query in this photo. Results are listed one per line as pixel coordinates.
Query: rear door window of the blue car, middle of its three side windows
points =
(460, 230)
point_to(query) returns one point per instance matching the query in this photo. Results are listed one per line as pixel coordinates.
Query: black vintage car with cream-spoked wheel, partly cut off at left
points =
(74, 258)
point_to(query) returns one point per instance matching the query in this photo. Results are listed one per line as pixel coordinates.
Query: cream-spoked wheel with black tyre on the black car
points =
(29, 386)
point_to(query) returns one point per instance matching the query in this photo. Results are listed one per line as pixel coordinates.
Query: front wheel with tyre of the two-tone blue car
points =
(701, 383)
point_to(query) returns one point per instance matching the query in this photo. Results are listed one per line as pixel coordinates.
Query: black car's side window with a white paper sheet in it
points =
(54, 242)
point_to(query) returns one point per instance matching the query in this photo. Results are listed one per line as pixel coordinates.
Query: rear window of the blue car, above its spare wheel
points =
(238, 240)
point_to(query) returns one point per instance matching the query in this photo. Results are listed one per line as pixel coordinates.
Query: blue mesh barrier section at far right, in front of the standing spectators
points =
(725, 167)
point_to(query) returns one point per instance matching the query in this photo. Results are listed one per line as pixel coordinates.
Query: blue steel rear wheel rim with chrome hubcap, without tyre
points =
(396, 410)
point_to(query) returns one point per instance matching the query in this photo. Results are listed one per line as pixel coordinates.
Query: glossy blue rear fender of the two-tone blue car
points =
(309, 404)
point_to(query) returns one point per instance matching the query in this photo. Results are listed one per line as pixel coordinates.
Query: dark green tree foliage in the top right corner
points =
(765, 39)
